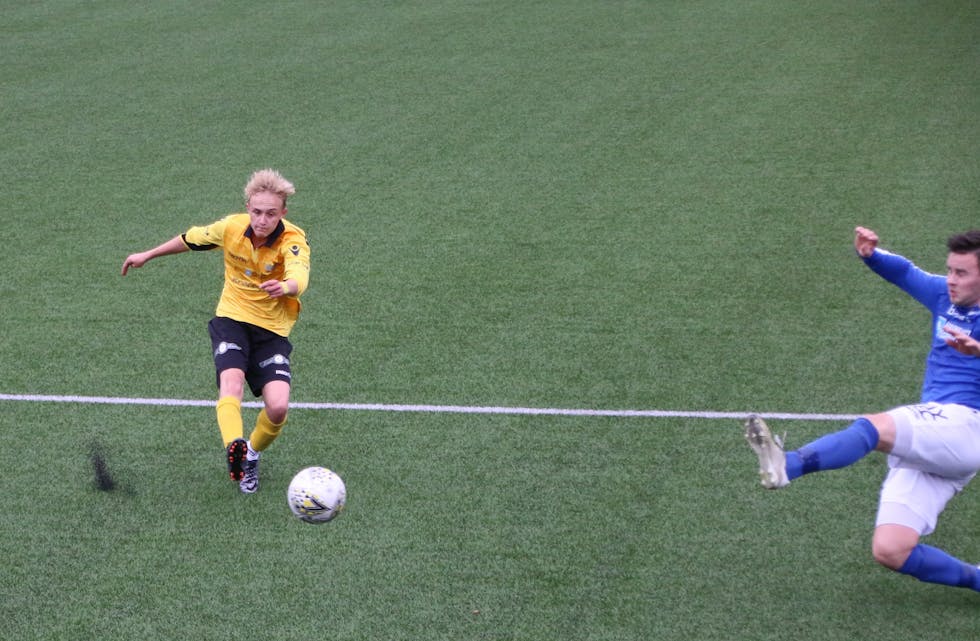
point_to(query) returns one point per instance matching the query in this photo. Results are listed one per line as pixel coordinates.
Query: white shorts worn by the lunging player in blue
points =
(936, 453)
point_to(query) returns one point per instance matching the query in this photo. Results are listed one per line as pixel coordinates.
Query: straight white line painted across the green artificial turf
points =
(435, 409)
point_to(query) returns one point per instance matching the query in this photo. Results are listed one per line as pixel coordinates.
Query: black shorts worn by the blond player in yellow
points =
(261, 354)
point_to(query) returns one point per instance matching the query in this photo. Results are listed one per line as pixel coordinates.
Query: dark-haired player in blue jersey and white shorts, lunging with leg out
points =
(933, 446)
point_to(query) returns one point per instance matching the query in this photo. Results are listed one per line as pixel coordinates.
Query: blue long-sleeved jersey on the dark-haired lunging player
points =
(950, 377)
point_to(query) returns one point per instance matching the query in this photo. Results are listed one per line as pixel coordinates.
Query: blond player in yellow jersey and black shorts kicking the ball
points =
(267, 267)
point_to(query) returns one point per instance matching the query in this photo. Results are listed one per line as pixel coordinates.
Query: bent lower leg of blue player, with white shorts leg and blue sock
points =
(911, 501)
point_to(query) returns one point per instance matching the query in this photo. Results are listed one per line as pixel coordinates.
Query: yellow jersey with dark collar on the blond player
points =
(285, 255)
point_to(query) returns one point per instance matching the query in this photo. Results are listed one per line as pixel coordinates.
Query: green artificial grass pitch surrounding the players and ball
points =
(564, 204)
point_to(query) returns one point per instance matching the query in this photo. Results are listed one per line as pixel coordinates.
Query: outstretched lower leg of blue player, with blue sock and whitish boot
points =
(831, 451)
